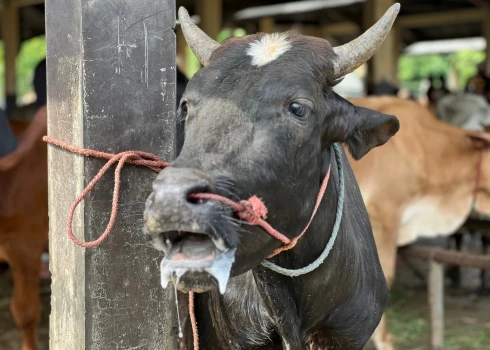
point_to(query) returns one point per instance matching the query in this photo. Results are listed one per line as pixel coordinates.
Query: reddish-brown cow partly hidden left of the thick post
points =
(24, 233)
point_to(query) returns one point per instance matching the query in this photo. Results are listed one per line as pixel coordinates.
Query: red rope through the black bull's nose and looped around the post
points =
(253, 211)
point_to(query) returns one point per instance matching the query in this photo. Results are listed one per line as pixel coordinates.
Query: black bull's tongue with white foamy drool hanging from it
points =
(197, 253)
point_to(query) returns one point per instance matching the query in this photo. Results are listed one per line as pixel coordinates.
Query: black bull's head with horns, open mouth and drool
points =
(260, 118)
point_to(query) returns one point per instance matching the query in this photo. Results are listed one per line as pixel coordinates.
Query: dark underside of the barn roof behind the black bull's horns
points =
(346, 13)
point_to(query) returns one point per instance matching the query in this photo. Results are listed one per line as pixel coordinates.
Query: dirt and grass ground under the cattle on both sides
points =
(467, 315)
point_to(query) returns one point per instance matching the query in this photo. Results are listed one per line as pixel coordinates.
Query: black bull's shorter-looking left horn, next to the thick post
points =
(201, 45)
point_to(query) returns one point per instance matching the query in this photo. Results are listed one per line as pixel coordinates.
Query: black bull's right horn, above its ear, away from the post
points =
(352, 55)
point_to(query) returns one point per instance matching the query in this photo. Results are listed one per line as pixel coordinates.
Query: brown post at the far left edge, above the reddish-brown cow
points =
(11, 38)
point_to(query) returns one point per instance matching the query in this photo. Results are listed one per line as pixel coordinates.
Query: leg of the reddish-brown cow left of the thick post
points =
(26, 306)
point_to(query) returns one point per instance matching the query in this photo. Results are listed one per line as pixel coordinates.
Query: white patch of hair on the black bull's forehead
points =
(268, 48)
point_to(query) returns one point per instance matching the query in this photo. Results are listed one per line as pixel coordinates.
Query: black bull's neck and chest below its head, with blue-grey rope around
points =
(264, 304)
